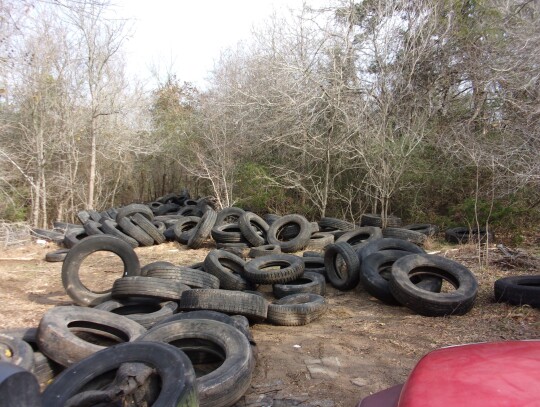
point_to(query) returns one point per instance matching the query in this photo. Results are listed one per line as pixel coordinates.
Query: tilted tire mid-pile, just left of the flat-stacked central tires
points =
(228, 268)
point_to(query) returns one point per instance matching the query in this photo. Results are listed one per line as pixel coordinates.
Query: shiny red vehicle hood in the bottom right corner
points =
(492, 374)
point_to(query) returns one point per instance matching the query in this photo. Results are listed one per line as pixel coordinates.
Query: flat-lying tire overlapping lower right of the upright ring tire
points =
(148, 287)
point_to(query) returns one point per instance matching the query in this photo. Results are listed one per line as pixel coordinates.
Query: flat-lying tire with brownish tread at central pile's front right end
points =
(297, 309)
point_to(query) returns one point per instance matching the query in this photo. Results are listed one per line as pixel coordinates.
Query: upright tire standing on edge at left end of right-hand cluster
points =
(344, 276)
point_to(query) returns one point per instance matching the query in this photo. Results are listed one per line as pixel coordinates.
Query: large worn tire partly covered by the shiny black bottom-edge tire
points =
(225, 385)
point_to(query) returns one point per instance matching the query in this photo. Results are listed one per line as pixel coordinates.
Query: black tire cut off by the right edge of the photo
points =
(518, 290)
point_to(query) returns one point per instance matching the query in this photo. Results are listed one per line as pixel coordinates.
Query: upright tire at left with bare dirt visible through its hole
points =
(74, 259)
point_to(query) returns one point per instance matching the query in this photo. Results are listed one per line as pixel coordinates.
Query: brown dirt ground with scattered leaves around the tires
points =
(360, 346)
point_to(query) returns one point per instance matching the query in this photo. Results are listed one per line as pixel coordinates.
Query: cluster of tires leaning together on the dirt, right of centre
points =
(398, 271)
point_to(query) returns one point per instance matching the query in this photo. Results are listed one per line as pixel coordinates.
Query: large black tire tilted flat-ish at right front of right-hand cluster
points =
(428, 303)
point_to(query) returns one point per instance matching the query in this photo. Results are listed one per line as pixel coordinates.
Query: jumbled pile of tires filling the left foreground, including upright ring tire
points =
(179, 326)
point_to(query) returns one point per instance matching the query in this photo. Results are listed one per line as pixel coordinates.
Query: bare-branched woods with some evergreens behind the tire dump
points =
(427, 110)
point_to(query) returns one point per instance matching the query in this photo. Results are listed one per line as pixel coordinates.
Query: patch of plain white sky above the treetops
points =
(186, 36)
